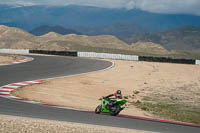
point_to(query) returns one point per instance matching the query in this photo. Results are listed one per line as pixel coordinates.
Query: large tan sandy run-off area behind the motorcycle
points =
(156, 82)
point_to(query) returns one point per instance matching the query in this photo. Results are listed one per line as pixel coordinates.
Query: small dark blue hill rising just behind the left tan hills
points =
(58, 29)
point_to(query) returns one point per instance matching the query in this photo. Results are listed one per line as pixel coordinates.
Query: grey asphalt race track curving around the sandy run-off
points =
(53, 66)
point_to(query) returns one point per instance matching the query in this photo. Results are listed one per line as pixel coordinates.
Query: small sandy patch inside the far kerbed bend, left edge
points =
(7, 59)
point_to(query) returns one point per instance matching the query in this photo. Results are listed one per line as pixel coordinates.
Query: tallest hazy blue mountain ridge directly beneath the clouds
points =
(30, 17)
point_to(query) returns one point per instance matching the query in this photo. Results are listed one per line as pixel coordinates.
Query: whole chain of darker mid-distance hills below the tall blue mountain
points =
(181, 38)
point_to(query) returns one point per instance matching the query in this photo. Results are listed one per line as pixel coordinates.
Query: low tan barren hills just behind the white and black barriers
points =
(19, 39)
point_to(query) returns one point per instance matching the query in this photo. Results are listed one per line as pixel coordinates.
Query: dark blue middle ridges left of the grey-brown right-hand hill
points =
(118, 30)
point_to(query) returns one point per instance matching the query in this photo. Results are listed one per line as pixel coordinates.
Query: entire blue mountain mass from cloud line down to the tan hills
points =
(131, 26)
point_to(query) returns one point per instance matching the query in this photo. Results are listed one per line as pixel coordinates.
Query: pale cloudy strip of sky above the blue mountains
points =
(155, 6)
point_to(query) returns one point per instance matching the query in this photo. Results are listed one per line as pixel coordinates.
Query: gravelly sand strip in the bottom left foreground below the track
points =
(11, 124)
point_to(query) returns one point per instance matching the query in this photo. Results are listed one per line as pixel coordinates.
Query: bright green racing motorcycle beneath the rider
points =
(114, 107)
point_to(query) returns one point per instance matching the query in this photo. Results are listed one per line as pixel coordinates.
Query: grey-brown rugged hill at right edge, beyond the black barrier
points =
(182, 38)
